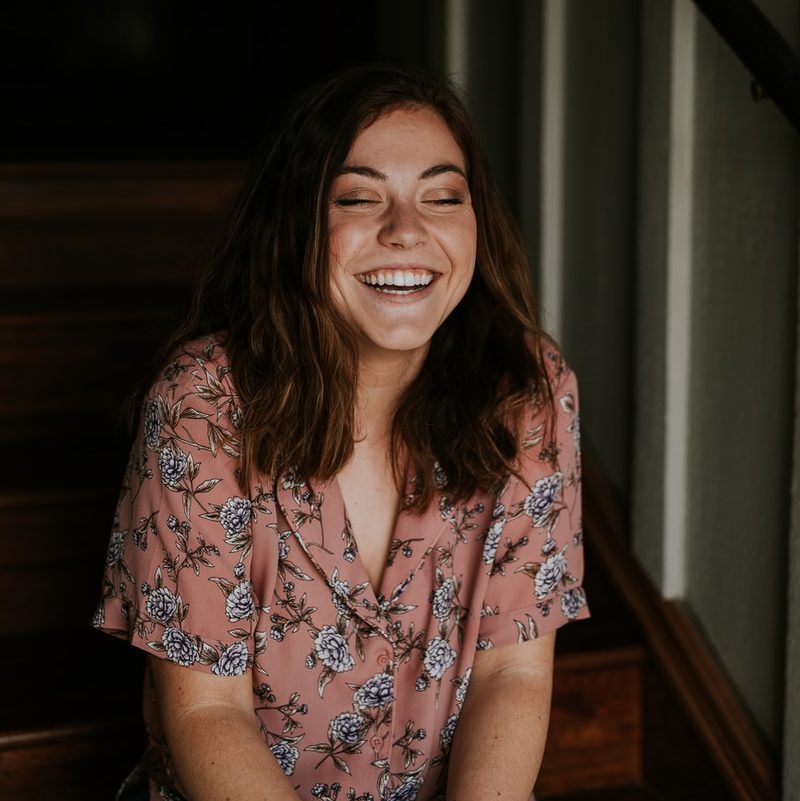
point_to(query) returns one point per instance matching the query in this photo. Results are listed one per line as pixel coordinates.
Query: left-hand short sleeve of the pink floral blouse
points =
(177, 576)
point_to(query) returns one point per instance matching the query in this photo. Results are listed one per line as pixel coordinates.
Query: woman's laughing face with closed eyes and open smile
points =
(402, 232)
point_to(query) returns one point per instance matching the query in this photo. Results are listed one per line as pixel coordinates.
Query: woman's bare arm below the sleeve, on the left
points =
(215, 743)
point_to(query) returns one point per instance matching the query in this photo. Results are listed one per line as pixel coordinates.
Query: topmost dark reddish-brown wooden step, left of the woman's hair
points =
(123, 224)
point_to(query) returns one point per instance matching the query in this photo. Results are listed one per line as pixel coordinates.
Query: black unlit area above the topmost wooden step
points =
(148, 79)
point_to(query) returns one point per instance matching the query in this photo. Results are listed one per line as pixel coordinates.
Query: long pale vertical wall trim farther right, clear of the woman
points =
(679, 296)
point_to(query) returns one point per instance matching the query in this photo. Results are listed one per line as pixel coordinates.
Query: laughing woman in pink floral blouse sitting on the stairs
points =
(351, 519)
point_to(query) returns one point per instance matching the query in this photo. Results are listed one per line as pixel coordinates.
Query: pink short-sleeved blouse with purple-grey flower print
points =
(357, 691)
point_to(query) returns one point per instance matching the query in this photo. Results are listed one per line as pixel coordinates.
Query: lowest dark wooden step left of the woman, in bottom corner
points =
(70, 723)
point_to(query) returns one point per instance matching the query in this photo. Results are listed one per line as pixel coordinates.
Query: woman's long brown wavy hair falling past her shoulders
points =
(293, 357)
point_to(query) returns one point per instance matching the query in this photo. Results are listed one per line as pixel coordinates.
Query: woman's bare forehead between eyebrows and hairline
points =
(406, 132)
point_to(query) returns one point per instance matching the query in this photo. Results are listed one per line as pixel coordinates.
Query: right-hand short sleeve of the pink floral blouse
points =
(535, 543)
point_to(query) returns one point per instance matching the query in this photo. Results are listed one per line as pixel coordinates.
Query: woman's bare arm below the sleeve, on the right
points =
(503, 723)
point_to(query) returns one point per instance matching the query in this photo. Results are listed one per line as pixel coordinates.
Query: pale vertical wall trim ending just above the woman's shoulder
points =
(554, 80)
